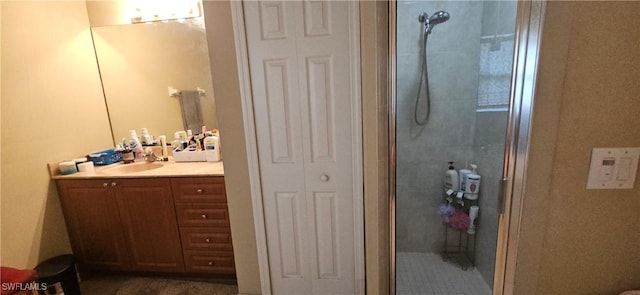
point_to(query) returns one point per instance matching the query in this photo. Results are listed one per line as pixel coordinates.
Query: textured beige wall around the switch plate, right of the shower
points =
(578, 241)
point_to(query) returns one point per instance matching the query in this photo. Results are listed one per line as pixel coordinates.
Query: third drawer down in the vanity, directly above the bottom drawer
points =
(206, 238)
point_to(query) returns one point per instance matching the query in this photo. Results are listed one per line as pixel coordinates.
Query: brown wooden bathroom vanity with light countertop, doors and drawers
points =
(149, 217)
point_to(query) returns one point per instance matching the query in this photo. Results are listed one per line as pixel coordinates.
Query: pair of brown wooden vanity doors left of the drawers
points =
(122, 224)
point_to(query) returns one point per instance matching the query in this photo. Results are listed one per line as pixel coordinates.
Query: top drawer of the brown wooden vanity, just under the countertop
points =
(199, 190)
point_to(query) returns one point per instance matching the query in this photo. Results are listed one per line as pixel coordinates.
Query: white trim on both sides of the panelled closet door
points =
(246, 97)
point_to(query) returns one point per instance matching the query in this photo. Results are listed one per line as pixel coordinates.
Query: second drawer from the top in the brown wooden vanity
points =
(203, 215)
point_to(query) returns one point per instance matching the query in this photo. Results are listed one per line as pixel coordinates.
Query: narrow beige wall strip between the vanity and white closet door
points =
(227, 91)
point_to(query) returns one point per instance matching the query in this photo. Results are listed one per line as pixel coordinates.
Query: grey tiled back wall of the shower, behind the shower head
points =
(423, 151)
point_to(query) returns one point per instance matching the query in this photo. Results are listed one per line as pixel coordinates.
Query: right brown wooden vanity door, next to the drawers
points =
(149, 222)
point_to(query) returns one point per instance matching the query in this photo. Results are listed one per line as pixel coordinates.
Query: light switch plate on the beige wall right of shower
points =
(613, 168)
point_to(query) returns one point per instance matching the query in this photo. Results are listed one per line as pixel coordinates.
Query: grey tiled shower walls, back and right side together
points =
(456, 131)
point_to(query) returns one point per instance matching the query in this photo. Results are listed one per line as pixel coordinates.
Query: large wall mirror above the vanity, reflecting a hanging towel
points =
(155, 75)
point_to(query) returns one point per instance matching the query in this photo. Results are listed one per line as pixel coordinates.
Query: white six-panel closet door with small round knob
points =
(303, 80)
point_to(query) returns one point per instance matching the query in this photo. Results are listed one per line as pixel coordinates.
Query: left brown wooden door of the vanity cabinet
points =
(93, 223)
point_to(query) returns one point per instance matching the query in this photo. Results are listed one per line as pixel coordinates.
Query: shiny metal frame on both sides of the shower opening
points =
(527, 40)
